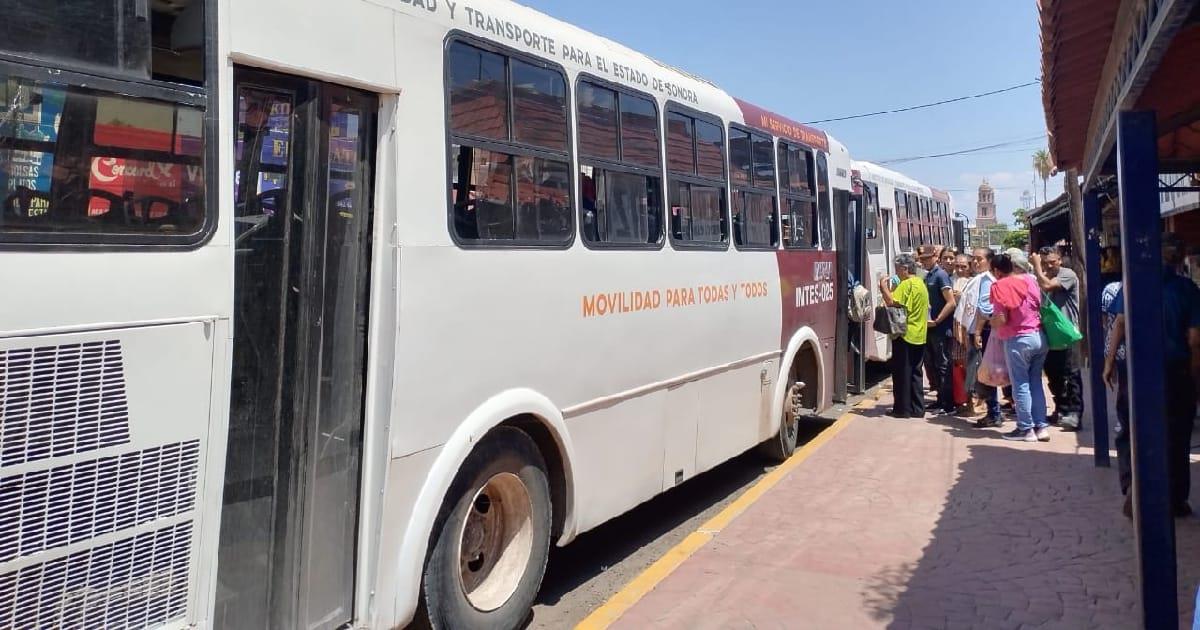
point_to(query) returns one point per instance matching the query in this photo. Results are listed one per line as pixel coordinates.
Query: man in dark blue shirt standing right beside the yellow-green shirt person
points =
(941, 328)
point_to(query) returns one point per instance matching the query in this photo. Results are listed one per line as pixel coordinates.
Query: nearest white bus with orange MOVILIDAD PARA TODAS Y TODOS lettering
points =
(339, 314)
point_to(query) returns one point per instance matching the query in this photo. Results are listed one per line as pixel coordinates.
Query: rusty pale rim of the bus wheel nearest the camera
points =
(496, 542)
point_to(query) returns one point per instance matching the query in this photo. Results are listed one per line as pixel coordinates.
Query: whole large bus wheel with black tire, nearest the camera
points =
(491, 539)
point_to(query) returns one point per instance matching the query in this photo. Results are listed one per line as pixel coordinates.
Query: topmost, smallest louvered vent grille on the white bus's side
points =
(62, 400)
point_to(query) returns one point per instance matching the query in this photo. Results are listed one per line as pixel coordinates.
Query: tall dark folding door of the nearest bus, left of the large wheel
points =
(303, 188)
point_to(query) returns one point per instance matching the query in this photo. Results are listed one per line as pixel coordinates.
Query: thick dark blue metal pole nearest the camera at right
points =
(1141, 218)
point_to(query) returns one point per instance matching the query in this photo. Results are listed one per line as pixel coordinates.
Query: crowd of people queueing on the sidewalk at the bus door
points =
(952, 320)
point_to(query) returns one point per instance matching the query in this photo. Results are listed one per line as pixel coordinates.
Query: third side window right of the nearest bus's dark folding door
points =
(697, 171)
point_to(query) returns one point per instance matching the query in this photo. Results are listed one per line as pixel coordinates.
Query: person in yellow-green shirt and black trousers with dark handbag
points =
(909, 350)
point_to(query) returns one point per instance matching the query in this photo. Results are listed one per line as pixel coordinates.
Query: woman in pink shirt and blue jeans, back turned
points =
(1017, 321)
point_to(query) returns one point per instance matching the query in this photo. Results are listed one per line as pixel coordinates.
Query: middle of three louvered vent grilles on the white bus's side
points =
(47, 509)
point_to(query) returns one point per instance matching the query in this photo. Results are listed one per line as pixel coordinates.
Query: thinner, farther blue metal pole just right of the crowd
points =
(1096, 341)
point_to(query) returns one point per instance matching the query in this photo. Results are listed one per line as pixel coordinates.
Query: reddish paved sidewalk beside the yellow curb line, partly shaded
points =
(935, 524)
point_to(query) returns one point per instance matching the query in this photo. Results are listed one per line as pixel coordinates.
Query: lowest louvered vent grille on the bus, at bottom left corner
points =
(136, 583)
